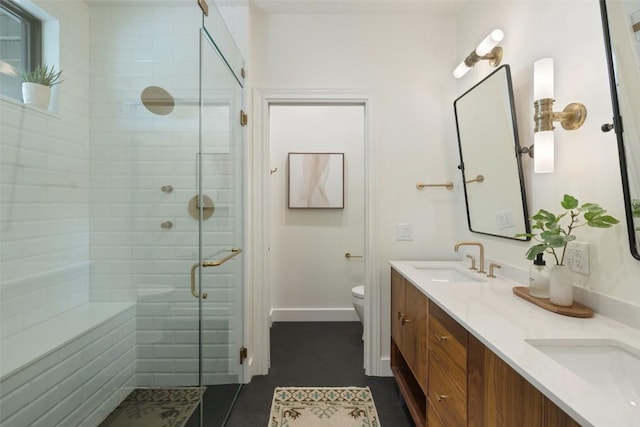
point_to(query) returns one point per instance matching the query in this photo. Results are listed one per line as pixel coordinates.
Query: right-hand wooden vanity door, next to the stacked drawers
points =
(415, 333)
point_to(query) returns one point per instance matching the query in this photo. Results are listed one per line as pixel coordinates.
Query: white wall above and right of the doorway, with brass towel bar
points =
(399, 59)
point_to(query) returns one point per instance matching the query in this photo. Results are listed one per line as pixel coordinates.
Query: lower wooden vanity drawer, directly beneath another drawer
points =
(446, 397)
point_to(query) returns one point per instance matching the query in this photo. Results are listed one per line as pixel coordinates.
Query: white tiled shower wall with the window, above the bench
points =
(44, 200)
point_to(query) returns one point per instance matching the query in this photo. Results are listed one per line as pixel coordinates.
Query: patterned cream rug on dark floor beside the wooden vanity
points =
(323, 406)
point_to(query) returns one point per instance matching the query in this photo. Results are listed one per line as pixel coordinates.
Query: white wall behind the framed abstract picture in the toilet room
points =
(311, 279)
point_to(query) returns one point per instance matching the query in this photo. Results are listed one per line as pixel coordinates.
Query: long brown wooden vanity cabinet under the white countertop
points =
(448, 378)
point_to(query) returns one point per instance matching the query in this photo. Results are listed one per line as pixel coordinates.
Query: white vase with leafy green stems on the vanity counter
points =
(553, 239)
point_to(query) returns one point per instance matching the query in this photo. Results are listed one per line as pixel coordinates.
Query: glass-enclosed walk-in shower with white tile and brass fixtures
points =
(121, 223)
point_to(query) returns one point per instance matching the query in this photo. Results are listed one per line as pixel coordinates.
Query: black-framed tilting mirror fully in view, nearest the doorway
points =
(489, 158)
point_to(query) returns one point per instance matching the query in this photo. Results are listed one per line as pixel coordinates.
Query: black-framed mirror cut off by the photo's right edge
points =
(621, 26)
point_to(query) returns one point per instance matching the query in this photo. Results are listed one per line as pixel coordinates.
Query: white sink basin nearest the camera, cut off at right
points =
(609, 365)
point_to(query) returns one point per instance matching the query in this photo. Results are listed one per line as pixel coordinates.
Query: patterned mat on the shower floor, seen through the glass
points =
(155, 407)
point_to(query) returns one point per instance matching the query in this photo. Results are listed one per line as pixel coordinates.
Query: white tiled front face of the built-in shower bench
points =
(80, 381)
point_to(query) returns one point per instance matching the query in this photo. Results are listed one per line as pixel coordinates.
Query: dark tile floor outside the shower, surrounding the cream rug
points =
(322, 354)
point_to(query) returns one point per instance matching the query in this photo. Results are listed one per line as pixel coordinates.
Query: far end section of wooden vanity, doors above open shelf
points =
(409, 316)
